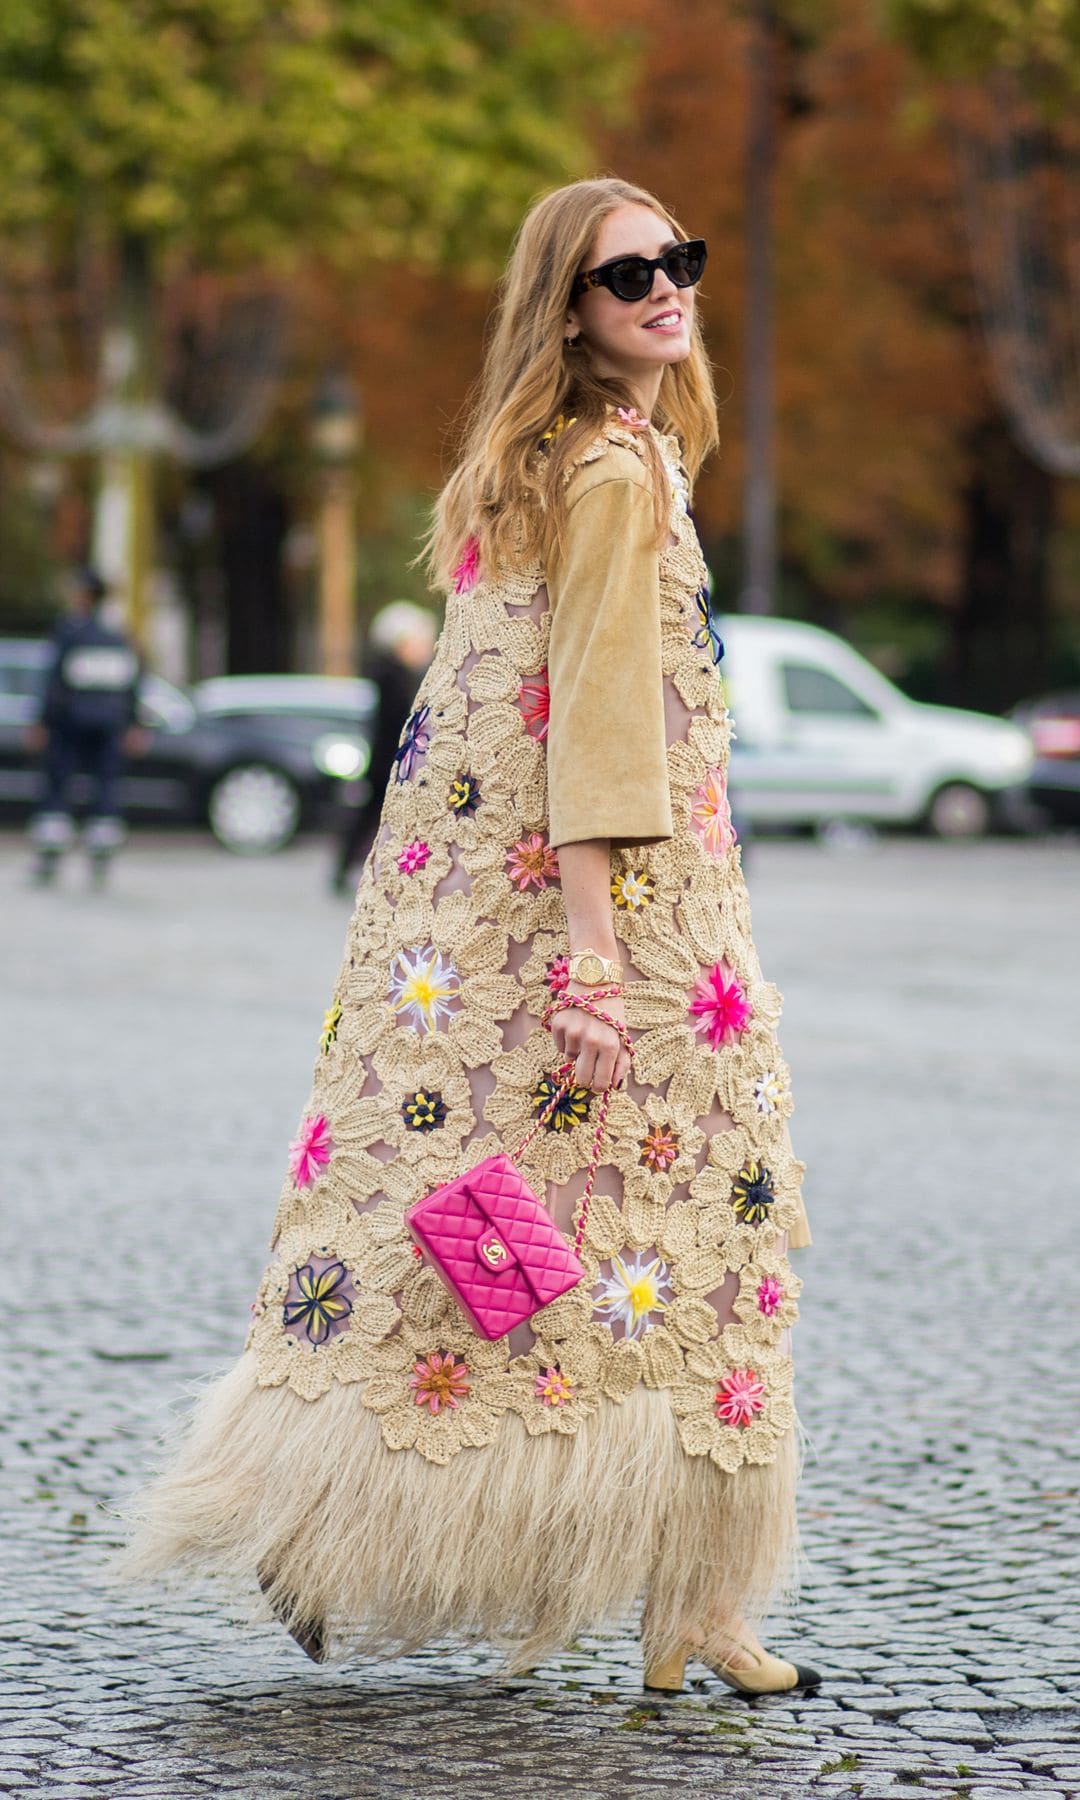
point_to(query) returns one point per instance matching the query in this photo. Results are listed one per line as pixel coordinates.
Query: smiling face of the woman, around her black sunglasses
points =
(634, 339)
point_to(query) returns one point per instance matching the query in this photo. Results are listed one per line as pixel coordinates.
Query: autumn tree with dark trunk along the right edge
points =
(1027, 62)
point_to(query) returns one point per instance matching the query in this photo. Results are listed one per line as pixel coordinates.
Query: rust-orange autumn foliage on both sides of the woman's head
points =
(879, 366)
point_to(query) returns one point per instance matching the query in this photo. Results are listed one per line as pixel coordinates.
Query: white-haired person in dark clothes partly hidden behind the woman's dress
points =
(400, 647)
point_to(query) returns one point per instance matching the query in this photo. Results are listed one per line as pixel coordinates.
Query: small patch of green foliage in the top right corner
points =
(1039, 40)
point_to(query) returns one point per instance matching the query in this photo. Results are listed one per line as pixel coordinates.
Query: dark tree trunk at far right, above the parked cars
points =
(1002, 633)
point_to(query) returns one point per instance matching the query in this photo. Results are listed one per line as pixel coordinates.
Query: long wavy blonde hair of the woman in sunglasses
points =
(503, 492)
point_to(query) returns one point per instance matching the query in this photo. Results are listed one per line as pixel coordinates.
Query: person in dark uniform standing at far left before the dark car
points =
(85, 728)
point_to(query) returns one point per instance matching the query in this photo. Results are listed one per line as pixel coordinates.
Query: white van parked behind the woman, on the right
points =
(822, 735)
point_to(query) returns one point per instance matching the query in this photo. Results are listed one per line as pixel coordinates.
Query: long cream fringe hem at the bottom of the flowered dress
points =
(523, 1545)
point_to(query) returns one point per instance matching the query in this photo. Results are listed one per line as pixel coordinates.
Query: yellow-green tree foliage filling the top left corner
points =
(361, 130)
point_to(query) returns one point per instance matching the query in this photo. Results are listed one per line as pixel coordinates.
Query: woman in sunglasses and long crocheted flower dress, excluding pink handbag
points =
(557, 827)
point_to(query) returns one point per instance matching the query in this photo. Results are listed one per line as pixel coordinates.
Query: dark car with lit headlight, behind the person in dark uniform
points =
(255, 757)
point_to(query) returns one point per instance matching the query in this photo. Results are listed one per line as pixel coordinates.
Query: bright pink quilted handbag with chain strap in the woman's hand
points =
(494, 1245)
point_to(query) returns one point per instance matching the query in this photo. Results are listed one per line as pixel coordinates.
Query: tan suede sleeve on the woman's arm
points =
(607, 755)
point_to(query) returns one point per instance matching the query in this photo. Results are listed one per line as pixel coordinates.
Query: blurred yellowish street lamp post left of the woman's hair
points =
(336, 438)
